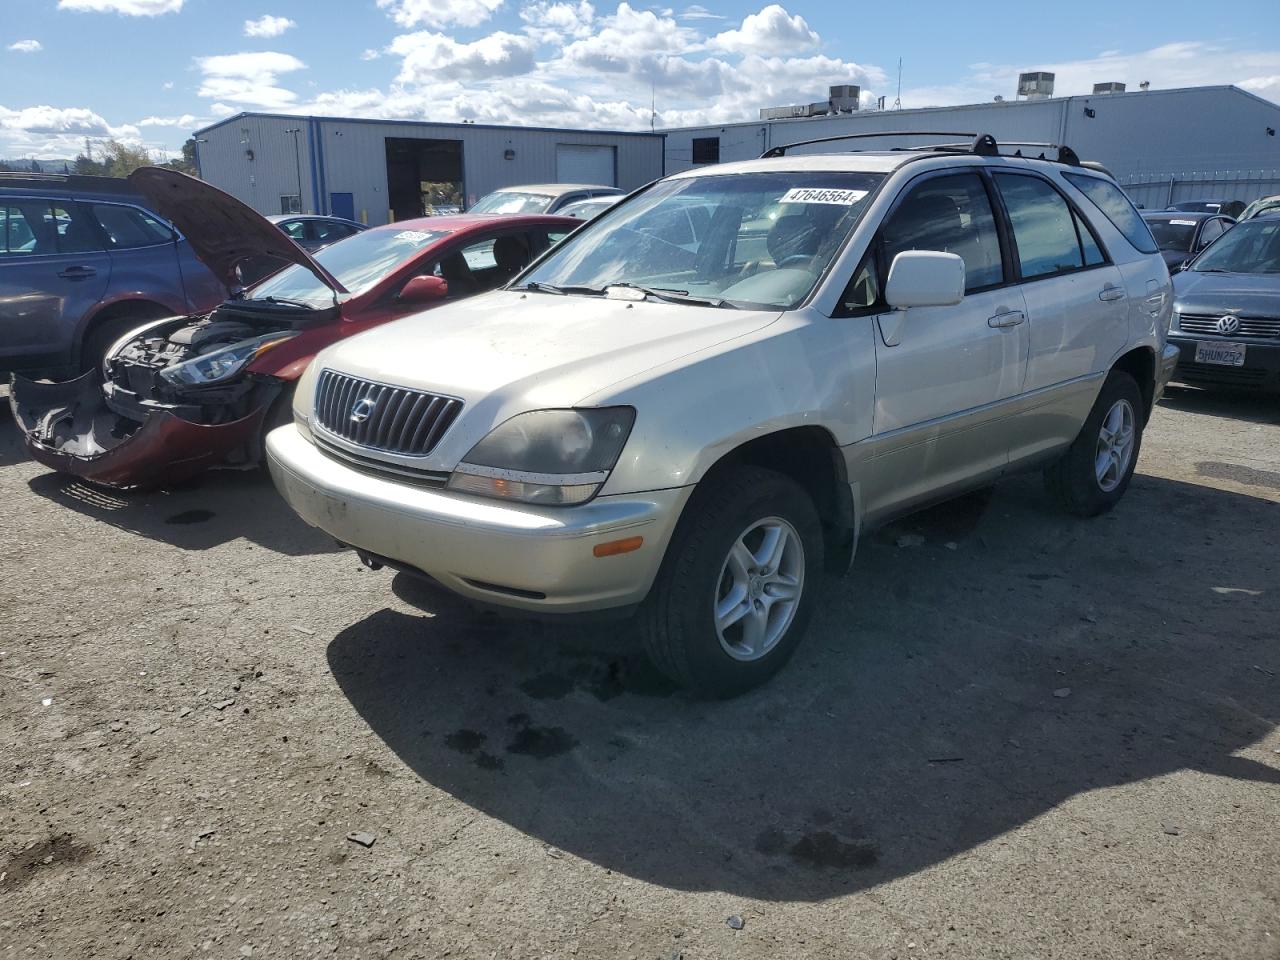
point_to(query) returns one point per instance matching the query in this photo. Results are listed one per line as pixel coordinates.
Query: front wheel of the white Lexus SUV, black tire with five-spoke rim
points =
(738, 586)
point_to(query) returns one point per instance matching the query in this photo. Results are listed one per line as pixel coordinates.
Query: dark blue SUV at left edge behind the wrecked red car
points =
(83, 263)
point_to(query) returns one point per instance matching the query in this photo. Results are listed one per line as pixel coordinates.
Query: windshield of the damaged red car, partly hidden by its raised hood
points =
(359, 263)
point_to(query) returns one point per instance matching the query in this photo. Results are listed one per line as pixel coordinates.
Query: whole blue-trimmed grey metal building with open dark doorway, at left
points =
(383, 171)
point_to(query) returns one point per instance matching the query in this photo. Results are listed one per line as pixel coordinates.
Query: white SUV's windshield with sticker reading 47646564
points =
(757, 240)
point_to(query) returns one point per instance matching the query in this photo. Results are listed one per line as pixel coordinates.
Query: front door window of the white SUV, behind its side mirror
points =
(950, 214)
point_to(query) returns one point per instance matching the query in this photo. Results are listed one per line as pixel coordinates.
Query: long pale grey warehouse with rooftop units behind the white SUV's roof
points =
(1162, 145)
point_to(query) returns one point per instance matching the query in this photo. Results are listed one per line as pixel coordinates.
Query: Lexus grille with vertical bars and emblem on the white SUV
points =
(383, 418)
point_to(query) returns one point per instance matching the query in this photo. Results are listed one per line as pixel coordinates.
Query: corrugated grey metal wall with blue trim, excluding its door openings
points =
(350, 157)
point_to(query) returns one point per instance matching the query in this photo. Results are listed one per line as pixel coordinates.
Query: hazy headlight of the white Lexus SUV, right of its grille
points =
(554, 458)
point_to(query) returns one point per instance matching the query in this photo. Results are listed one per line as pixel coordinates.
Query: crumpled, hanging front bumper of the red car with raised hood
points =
(70, 428)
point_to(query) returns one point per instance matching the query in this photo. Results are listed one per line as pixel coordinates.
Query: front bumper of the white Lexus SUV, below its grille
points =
(533, 559)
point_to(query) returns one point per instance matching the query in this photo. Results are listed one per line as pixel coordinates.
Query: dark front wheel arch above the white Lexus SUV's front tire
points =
(811, 458)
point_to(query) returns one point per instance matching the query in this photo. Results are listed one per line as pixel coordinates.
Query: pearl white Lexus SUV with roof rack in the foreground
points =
(698, 431)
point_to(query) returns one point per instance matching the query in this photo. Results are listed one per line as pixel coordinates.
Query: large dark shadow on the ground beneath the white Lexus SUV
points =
(971, 675)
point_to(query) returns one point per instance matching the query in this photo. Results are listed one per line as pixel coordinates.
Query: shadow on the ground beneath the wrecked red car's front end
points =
(214, 509)
